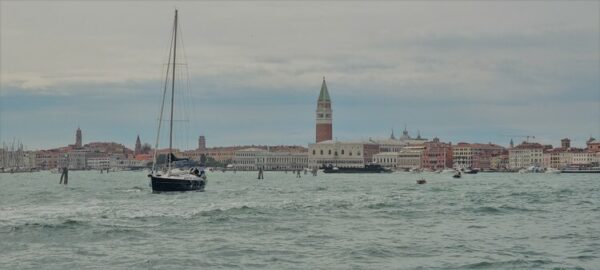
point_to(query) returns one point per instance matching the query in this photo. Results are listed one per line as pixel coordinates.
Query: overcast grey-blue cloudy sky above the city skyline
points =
(461, 71)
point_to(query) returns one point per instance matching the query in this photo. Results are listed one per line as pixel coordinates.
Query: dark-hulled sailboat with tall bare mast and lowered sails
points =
(172, 179)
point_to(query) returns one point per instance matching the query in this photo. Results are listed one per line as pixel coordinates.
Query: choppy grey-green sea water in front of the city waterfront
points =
(377, 221)
